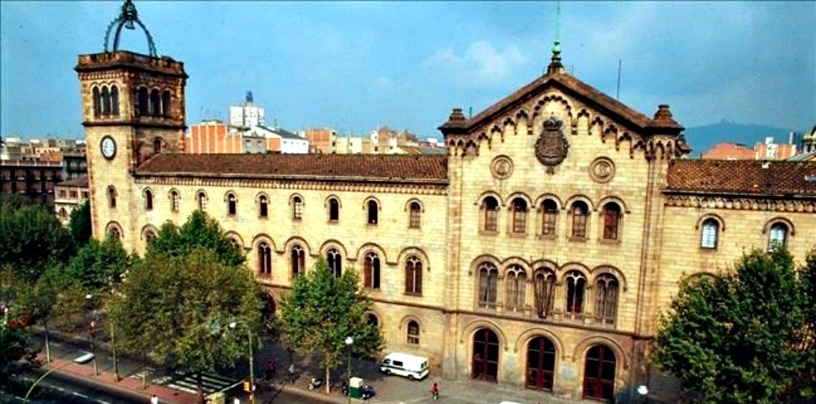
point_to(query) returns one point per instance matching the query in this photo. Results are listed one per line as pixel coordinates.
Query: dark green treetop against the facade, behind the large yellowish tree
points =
(199, 230)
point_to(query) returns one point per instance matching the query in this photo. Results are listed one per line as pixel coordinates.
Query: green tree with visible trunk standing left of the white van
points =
(322, 310)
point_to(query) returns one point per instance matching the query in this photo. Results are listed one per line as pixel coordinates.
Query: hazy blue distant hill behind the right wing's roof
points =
(703, 138)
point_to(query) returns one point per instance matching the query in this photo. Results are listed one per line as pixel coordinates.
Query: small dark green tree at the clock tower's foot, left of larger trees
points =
(98, 264)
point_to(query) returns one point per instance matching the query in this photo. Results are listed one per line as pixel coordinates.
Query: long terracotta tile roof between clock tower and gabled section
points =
(356, 167)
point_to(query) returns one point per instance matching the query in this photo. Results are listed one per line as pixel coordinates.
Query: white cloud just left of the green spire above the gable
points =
(480, 64)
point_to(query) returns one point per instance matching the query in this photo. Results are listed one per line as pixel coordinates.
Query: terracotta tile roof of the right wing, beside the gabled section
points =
(743, 177)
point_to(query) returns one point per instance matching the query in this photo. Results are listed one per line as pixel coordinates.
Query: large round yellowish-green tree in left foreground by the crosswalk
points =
(179, 308)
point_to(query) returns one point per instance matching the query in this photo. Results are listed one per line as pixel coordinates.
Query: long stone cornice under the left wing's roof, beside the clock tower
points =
(297, 185)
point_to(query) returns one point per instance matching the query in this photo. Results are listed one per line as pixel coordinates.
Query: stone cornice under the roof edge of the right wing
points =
(743, 202)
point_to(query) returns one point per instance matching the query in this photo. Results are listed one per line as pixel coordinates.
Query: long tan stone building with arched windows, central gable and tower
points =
(538, 252)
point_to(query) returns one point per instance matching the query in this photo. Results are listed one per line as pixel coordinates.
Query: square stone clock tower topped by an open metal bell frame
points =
(132, 109)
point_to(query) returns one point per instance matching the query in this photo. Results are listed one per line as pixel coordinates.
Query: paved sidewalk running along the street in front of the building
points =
(177, 388)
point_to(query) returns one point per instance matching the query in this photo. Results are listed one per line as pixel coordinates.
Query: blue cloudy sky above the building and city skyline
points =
(355, 66)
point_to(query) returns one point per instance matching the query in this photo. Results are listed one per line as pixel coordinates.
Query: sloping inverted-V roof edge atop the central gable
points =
(595, 98)
